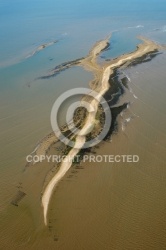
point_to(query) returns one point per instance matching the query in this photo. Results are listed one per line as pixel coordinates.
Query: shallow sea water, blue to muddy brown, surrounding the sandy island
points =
(117, 206)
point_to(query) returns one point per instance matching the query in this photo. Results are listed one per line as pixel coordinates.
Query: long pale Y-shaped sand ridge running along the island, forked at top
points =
(102, 75)
